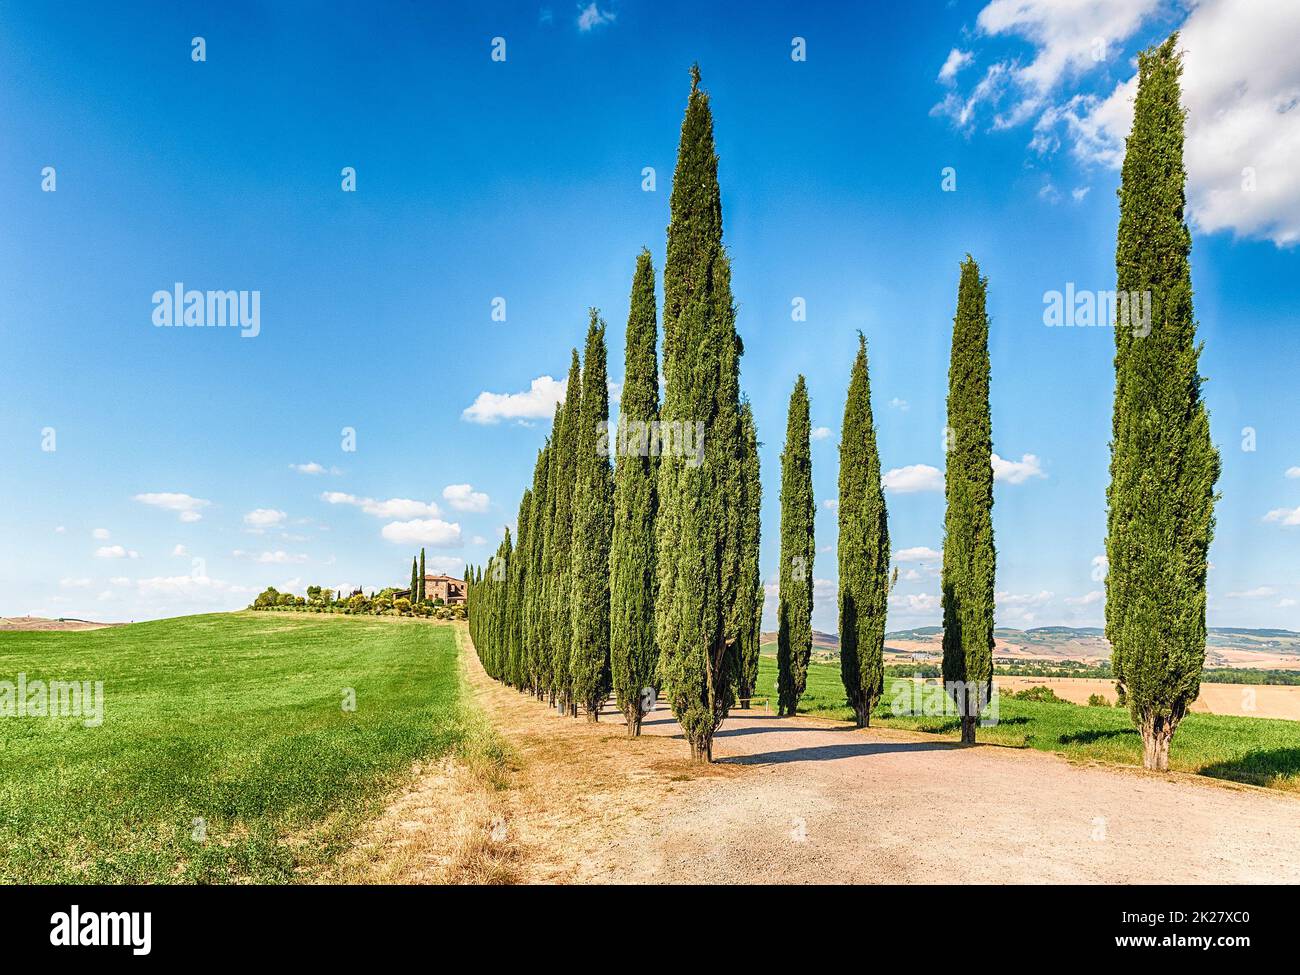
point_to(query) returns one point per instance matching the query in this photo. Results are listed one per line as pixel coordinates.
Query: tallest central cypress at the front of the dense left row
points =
(697, 561)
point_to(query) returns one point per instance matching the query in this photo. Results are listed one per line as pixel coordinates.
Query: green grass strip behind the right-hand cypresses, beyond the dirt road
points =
(1256, 751)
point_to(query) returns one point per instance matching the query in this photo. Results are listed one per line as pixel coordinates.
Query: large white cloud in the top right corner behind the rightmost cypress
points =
(1241, 89)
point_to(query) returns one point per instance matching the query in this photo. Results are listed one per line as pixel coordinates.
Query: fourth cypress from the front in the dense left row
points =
(562, 539)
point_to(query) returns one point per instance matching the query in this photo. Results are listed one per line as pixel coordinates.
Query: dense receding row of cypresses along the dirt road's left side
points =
(644, 578)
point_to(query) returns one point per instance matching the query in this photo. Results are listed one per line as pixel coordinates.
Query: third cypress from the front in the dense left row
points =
(593, 525)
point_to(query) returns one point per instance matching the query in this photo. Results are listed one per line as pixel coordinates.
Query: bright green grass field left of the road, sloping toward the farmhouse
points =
(226, 753)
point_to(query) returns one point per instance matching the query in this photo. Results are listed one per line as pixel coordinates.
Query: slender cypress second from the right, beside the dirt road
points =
(970, 561)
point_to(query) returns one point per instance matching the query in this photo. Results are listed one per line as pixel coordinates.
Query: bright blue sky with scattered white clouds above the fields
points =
(180, 482)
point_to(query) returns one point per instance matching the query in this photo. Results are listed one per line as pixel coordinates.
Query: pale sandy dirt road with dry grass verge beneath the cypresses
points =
(809, 801)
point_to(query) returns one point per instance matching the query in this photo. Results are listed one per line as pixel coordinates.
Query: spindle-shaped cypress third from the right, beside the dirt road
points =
(864, 549)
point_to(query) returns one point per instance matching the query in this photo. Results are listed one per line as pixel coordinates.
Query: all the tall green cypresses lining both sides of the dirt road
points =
(647, 578)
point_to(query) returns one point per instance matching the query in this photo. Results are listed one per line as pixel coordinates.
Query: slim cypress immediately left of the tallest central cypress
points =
(634, 655)
